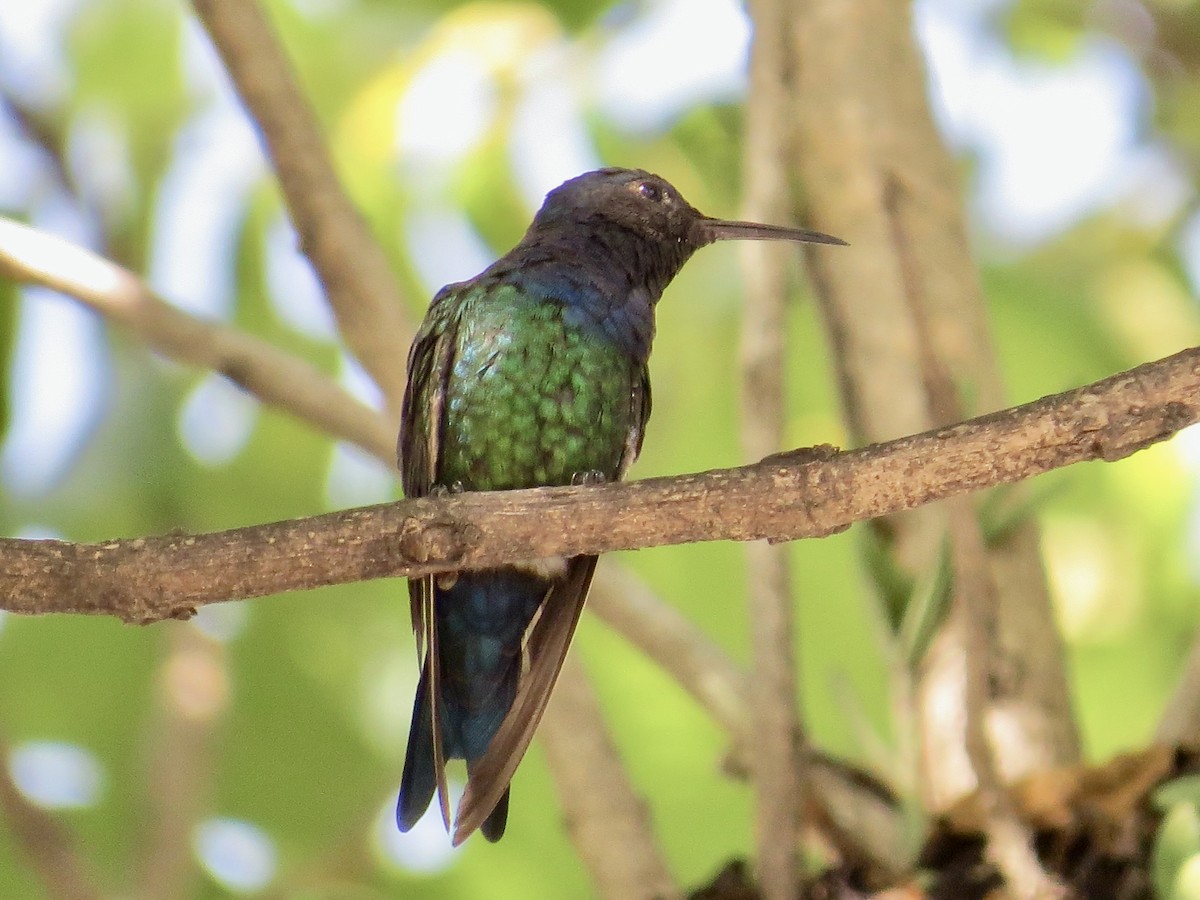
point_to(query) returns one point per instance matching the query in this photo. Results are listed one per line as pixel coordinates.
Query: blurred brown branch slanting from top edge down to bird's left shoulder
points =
(359, 284)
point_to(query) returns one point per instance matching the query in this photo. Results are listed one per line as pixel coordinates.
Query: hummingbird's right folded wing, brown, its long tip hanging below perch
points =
(545, 649)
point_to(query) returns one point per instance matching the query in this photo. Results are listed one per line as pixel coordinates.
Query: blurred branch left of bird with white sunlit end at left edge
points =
(28, 255)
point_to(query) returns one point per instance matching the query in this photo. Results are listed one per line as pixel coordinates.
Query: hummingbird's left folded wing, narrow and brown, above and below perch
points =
(430, 363)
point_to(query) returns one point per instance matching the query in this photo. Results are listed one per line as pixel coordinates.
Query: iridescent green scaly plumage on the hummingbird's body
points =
(531, 400)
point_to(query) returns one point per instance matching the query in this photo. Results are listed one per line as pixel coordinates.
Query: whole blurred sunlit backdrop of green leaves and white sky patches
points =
(449, 124)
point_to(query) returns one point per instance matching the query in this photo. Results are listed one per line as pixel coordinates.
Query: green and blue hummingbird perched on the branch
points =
(532, 374)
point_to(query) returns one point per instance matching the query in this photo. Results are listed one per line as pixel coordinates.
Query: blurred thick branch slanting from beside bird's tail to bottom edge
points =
(608, 821)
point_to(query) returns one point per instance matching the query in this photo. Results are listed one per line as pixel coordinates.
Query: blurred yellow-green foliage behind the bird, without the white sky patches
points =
(311, 745)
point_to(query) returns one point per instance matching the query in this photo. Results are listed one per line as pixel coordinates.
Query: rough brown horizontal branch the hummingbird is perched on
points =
(801, 495)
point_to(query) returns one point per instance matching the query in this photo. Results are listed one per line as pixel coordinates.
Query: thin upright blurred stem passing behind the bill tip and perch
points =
(776, 764)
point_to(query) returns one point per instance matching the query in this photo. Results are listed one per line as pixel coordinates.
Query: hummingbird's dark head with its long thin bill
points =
(645, 206)
